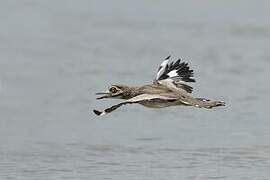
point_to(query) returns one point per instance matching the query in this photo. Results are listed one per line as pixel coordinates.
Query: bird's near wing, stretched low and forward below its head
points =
(137, 99)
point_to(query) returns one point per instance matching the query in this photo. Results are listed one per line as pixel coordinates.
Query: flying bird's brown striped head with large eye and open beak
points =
(116, 91)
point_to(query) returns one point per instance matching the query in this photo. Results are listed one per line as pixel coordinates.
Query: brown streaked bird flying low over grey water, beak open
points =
(170, 88)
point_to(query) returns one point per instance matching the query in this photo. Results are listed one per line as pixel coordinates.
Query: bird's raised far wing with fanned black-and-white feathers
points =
(175, 74)
